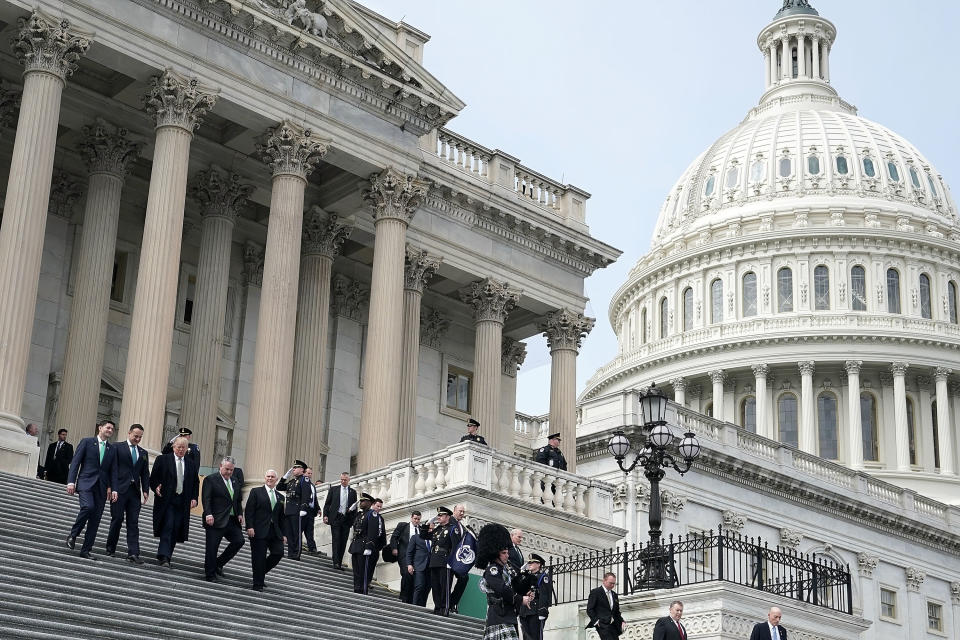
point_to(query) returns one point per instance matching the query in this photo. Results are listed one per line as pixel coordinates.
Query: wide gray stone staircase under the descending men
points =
(50, 592)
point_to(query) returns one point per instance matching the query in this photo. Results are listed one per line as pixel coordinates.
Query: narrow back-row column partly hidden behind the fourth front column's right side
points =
(419, 268)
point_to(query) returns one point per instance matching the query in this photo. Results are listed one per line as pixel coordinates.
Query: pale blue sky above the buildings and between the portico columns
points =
(619, 97)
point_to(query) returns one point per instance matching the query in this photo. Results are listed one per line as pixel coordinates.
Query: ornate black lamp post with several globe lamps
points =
(654, 458)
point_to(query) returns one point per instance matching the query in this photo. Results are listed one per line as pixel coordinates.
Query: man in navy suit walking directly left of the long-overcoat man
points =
(130, 484)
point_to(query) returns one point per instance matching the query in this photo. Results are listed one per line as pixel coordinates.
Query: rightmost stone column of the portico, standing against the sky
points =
(565, 330)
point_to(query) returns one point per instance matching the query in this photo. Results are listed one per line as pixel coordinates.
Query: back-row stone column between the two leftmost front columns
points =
(108, 152)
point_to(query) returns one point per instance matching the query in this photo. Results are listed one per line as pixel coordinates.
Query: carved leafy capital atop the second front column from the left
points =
(174, 100)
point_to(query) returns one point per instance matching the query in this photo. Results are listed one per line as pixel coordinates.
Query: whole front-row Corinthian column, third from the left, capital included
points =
(292, 153)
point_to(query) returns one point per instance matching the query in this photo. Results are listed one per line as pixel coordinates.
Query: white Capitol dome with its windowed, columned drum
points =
(803, 278)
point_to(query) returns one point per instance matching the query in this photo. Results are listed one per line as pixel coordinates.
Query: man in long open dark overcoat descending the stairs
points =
(176, 484)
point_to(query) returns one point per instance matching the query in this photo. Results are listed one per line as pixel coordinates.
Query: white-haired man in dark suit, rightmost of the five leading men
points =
(264, 521)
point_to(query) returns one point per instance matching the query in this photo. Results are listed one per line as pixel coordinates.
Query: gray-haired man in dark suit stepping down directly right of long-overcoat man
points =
(222, 518)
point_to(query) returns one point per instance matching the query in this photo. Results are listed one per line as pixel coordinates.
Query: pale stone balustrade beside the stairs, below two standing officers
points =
(469, 468)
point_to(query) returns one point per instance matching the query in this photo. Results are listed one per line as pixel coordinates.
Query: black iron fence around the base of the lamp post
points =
(721, 556)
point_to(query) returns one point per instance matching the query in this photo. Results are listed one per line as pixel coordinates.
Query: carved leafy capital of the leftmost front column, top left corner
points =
(48, 44)
